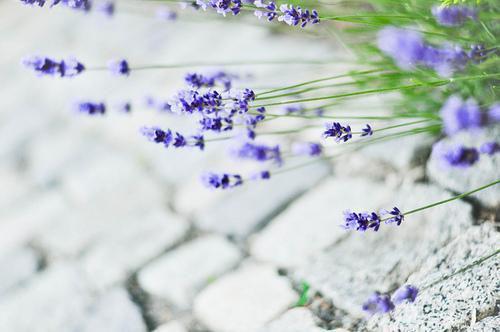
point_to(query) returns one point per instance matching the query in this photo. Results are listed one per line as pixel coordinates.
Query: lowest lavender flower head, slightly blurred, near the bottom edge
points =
(382, 303)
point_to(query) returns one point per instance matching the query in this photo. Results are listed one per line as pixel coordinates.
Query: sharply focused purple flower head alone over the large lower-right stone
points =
(365, 220)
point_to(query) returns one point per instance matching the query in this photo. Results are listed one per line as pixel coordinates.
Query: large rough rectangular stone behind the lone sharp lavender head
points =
(352, 270)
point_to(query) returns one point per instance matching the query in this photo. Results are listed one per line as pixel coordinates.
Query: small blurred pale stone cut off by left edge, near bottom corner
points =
(16, 267)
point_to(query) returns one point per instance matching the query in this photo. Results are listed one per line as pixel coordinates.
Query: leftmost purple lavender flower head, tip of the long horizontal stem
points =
(50, 67)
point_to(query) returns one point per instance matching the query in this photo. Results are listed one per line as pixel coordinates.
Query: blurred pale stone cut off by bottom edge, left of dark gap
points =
(114, 312)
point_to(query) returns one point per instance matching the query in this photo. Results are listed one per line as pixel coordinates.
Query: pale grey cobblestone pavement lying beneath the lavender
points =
(101, 231)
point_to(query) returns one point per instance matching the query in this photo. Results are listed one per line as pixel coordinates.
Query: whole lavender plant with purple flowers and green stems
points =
(442, 60)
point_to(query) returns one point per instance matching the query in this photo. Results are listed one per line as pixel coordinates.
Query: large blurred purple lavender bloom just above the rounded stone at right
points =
(458, 115)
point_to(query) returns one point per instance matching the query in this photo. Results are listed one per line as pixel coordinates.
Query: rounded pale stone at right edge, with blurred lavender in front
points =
(485, 171)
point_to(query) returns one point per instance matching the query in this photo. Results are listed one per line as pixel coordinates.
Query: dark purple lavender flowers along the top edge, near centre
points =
(290, 14)
